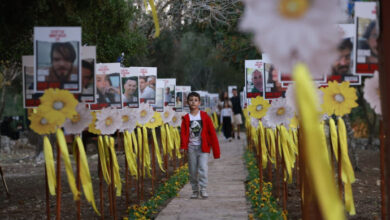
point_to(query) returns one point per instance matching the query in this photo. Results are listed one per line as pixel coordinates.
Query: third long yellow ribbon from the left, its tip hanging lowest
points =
(85, 175)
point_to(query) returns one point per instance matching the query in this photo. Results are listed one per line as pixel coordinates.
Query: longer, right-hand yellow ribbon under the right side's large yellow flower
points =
(347, 175)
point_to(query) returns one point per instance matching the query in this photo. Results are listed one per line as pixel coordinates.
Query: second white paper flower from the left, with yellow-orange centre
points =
(108, 121)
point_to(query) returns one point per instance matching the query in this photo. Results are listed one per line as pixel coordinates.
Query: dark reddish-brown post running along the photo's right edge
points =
(384, 82)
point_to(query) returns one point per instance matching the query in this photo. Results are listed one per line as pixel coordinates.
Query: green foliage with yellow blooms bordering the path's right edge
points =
(264, 205)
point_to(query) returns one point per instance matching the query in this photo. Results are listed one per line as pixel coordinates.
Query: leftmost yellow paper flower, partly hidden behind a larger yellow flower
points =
(41, 124)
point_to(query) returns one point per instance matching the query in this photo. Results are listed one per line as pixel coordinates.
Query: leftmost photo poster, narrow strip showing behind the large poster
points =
(30, 98)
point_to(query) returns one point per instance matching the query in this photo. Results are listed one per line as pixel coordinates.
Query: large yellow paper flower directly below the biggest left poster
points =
(57, 105)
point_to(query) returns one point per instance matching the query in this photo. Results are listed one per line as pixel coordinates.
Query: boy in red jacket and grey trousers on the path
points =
(198, 136)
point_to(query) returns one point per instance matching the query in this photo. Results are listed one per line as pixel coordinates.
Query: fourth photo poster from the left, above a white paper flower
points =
(108, 86)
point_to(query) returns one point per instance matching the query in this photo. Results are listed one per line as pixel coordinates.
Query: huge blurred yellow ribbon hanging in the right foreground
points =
(321, 176)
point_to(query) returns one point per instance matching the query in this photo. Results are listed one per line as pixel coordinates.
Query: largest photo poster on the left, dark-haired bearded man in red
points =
(57, 58)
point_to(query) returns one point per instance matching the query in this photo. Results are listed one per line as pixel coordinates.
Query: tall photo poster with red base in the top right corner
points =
(366, 40)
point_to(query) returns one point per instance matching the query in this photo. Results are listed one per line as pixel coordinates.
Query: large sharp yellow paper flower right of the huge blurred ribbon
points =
(339, 99)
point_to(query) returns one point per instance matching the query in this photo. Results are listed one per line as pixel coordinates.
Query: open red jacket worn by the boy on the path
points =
(208, 135)
